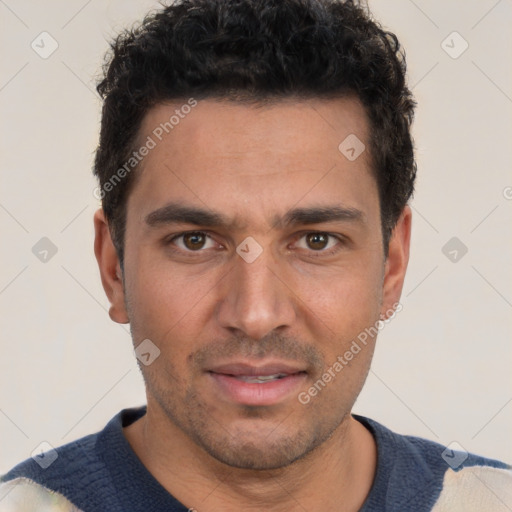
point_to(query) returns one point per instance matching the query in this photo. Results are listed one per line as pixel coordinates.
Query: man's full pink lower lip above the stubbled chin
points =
(265, 393)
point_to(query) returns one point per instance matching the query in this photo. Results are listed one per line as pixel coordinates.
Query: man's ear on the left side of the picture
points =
(110, 268)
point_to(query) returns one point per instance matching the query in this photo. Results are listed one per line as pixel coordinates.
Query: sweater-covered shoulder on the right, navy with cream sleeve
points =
(420, 474)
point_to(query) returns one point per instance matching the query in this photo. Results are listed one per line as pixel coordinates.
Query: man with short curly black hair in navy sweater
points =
(255, 164)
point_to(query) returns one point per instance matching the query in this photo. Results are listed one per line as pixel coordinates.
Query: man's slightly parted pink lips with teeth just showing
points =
(263, 385)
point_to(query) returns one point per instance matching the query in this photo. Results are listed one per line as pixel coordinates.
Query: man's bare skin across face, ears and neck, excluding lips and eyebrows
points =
(295, 302)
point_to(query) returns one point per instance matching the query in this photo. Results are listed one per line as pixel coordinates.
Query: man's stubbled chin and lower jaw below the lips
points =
(249, 438)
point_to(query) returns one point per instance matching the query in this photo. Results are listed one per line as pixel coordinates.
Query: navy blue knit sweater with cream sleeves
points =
(100, 472)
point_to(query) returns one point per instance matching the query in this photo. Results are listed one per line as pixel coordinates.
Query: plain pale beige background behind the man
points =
(441, 368)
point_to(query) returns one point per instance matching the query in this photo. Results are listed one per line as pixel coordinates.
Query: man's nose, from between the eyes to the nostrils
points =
(257, 298)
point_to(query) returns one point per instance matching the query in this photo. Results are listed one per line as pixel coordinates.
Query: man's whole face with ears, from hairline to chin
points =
(253, 260)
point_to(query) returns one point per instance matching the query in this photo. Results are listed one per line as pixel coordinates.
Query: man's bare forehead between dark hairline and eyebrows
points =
(254, 159)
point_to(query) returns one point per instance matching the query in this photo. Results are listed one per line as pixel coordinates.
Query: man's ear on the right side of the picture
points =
(396, 263)
